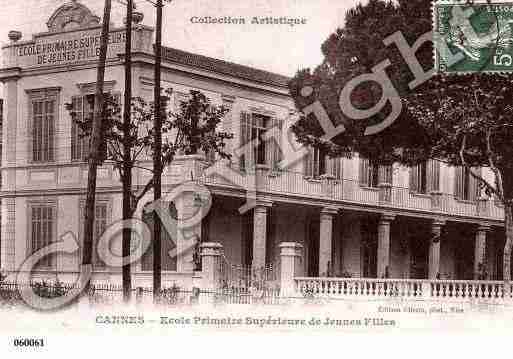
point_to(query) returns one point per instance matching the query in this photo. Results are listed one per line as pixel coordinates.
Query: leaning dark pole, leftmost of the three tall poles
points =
(96, 141)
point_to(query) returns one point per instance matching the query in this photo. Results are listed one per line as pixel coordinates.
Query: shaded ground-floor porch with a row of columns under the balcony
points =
(354, 244)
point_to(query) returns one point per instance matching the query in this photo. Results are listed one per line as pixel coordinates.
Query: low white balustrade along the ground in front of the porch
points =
(456, 290)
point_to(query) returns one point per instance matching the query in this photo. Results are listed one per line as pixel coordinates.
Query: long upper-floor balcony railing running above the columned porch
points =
(349, 190)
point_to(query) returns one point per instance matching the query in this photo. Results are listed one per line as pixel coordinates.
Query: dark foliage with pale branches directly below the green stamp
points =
(468, 121)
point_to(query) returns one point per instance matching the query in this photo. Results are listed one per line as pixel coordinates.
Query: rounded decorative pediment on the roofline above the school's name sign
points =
(72, 16)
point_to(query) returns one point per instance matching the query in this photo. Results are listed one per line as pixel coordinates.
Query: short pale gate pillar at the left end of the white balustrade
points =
(291, 267)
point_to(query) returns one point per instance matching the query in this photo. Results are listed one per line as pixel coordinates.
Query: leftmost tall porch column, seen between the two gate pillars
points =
(260, 233)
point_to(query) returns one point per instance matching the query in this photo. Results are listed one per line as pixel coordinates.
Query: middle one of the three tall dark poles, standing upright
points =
(127, 157)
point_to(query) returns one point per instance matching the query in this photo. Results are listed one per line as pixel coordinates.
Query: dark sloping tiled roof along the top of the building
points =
(224, 67)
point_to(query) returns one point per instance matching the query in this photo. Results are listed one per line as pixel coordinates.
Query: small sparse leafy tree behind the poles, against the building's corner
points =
(188, 130)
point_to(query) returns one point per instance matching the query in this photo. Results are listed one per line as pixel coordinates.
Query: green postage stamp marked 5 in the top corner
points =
(473, 36)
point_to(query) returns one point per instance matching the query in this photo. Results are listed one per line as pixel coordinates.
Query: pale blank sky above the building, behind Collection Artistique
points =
(277, 48)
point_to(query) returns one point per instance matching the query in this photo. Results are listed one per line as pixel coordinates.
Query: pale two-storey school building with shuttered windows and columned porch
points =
(353, 218)
